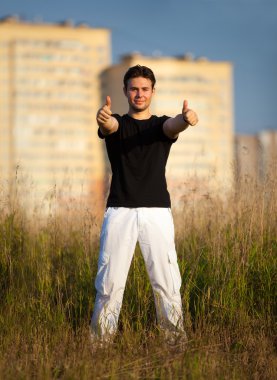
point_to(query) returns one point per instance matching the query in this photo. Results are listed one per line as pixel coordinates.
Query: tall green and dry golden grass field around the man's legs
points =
(227, 253)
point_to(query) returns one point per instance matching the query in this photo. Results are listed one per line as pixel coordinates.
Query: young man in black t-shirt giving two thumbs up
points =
(138, 206)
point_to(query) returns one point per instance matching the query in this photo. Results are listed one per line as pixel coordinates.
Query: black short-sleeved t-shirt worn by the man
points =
(138, 152)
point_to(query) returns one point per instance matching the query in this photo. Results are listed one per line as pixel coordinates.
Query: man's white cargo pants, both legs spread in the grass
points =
(154, 230)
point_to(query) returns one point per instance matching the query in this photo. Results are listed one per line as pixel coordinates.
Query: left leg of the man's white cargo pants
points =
(119, 235)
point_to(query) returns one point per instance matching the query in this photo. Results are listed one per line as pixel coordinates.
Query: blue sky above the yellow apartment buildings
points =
(241, 31)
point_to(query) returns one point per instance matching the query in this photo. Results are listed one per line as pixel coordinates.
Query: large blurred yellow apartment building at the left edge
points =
(49, 95)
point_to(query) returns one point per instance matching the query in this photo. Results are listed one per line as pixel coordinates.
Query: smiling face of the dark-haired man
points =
(139, 93)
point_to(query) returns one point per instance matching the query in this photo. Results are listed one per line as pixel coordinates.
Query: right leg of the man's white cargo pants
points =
(156, 239)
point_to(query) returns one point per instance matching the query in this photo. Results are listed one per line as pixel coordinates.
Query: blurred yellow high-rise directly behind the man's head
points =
(203, 154)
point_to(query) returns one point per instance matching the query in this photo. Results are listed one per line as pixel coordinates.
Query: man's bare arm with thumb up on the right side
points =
(173, 126)
